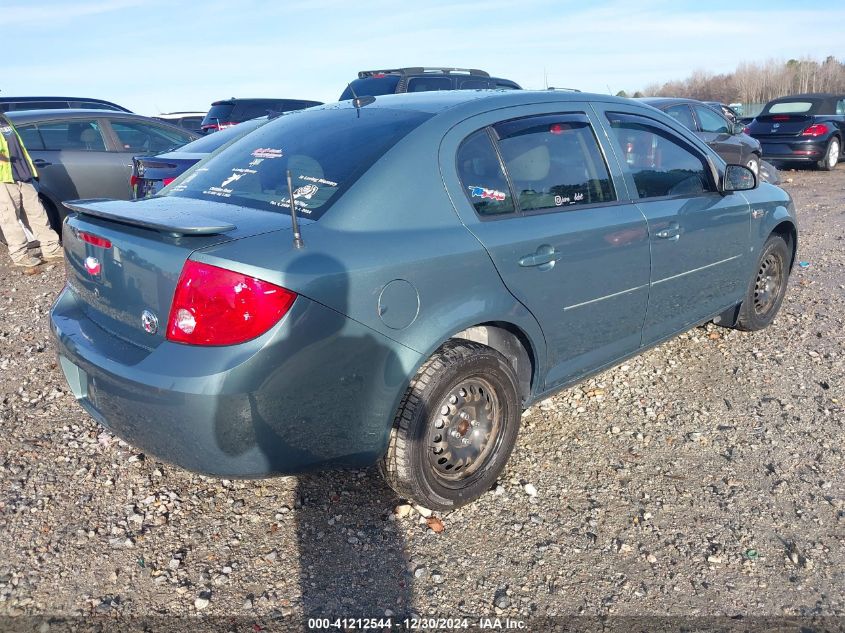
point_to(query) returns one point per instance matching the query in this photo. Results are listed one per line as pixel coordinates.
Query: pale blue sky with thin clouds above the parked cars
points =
(155, 56)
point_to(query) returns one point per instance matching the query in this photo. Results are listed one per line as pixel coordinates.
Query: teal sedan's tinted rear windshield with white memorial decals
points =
(326, 151)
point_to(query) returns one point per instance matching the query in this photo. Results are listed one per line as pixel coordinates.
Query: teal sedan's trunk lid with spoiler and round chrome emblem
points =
(124, 259)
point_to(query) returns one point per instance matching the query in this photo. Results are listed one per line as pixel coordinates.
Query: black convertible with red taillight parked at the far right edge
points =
(806, 128)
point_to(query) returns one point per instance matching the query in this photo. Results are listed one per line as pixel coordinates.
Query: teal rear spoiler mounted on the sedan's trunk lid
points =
(172, 221)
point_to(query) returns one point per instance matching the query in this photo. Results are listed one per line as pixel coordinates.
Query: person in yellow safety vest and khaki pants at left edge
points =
(19, 201)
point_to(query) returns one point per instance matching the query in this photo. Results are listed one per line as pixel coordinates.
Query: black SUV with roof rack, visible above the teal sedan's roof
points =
(373, 83)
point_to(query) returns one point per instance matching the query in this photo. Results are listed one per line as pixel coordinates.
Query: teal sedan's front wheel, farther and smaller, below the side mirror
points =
(767, 287)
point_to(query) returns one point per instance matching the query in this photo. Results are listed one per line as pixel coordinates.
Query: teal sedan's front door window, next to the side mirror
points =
(661, 163)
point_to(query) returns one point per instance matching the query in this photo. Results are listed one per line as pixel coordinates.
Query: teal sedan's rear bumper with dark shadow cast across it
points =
(280, 404)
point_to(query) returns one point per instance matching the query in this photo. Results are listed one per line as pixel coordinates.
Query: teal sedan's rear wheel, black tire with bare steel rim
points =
(445, 449)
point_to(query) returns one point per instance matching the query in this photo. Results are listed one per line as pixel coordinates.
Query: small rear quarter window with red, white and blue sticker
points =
(482, 177)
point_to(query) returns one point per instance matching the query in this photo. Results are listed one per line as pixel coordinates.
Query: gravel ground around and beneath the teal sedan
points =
(703, 478)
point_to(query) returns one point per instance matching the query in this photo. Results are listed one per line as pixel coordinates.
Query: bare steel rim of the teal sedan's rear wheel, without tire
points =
(464, 429)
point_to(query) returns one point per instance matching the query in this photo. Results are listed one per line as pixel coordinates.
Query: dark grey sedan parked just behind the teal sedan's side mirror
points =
(724, 136)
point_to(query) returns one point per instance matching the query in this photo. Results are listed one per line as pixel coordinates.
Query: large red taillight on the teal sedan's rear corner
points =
(215, 306)
